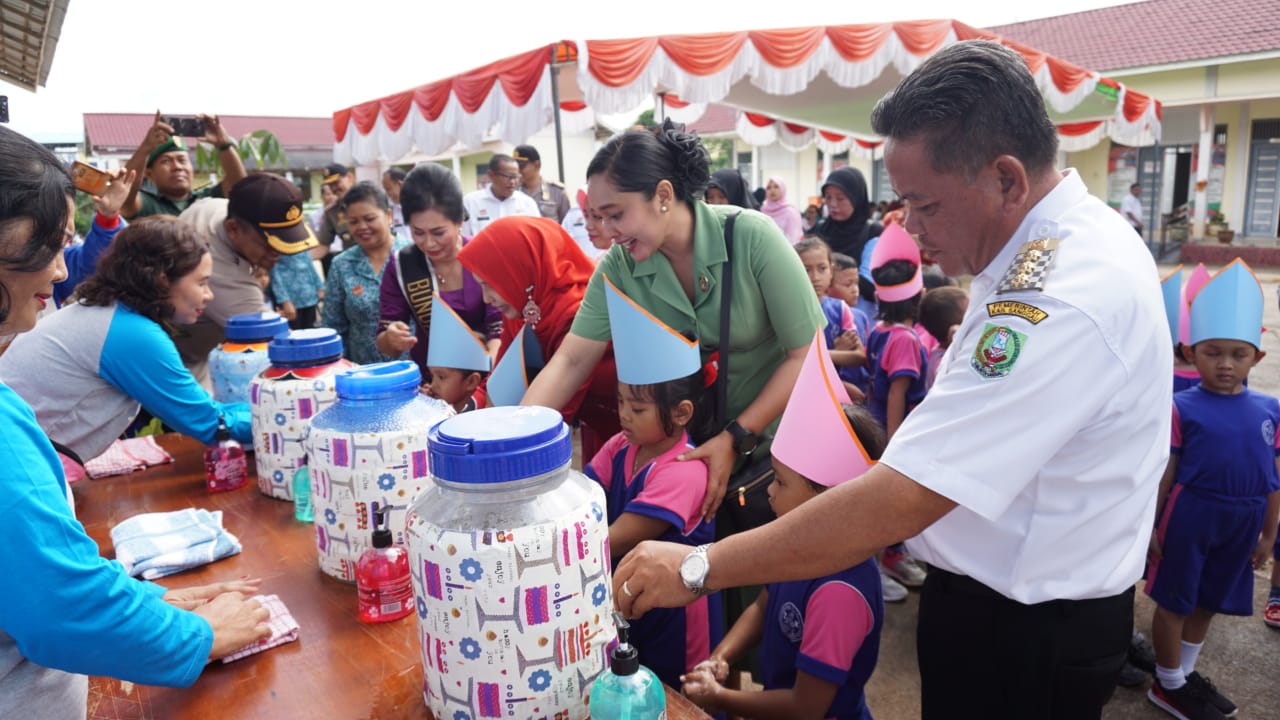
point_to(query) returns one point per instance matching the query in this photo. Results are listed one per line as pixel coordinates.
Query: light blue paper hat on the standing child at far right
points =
(1229, 307)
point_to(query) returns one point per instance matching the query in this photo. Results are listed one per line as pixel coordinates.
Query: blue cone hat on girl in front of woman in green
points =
(646, 349)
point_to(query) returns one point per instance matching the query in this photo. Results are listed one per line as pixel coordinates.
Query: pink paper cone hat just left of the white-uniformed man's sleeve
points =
(815, 438)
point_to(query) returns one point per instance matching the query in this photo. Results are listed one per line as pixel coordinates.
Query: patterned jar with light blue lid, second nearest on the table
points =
(371, 446)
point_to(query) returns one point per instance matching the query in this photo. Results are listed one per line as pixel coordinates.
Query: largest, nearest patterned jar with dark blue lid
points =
(510, 558)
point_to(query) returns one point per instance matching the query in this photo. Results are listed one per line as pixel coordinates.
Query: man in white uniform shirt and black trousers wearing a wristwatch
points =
(1027, 477)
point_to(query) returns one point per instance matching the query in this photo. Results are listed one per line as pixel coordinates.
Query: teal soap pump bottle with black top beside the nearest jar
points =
(627, 691)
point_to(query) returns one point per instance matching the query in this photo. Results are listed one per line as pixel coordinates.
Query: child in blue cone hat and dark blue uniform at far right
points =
(1220, 496)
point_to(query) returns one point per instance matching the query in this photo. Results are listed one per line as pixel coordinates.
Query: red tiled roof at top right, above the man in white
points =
(1156, 33)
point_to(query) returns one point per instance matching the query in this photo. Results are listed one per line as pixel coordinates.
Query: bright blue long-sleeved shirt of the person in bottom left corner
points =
(66, 610)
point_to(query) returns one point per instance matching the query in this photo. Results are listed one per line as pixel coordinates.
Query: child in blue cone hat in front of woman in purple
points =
(456, 358)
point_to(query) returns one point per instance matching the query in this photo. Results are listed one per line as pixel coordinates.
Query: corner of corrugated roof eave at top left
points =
(29, 37)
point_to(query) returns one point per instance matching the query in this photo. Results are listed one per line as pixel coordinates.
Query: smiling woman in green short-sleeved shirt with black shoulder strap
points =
(646, 188)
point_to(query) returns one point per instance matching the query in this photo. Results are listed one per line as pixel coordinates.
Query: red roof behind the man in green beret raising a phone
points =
(127, 130)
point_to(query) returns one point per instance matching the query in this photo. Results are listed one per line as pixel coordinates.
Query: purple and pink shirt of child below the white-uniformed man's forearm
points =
(829, 628)
